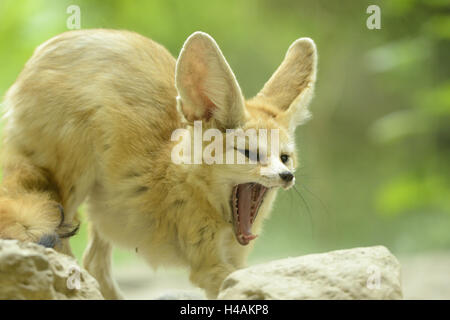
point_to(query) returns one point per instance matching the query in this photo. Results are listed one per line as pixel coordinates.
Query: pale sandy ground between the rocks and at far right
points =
(425, 276)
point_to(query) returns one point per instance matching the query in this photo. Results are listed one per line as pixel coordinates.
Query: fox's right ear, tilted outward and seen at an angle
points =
(291, 87)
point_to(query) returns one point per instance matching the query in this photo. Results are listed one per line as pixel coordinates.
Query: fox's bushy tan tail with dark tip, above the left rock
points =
(30, 205)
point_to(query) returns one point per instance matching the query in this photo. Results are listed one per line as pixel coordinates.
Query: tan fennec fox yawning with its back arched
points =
(91, 117)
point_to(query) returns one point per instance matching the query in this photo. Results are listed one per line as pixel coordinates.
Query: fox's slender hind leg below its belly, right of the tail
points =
(97, 261)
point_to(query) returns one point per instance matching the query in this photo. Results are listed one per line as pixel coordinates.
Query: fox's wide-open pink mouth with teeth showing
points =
(246, 199)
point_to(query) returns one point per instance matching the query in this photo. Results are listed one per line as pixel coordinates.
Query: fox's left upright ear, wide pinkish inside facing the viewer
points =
(207, 87)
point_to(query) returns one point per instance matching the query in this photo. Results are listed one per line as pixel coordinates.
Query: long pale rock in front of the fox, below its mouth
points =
(360, 273)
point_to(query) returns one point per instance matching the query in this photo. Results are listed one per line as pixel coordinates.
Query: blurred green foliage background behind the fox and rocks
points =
(374, 159)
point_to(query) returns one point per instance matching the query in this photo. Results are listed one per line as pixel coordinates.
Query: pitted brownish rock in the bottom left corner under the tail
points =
(30, 271)
